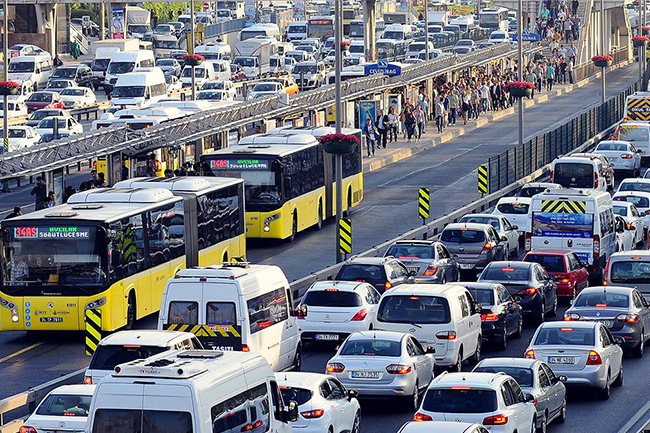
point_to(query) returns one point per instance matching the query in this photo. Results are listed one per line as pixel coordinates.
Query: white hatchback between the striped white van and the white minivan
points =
(332, 310)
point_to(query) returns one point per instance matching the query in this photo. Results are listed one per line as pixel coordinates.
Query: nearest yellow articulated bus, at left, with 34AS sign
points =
(111, 250)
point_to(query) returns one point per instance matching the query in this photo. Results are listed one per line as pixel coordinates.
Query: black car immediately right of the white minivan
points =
(501, 316)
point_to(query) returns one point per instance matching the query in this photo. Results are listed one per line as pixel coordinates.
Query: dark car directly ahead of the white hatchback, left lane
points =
(382, 272)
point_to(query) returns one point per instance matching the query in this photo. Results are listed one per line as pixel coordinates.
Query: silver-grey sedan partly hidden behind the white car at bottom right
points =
(536, 378)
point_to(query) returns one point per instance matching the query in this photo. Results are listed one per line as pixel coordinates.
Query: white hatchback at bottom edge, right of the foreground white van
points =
(324, 405)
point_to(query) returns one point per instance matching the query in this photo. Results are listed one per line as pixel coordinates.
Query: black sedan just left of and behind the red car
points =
(528, 283)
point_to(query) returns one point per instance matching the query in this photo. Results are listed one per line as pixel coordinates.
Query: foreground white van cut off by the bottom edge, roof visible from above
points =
(196, 391)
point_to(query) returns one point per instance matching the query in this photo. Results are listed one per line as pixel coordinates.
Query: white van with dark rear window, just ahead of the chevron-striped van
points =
(579, 172)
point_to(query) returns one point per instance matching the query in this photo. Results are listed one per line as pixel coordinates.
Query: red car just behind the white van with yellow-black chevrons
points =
(564, 267)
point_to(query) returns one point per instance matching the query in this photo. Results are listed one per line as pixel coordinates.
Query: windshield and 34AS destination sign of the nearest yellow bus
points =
(38, 257)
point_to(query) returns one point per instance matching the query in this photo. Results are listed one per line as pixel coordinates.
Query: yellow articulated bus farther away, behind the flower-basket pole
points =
(289, 181)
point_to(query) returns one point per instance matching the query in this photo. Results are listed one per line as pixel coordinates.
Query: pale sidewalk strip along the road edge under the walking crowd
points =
(402, 150)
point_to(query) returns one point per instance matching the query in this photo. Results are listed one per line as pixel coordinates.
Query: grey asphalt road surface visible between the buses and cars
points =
(389, 208)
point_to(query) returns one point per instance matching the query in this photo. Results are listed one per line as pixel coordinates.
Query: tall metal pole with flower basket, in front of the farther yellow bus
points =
(338, 57)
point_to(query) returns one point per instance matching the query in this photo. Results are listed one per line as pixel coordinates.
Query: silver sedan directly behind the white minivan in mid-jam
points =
(384, 363)
